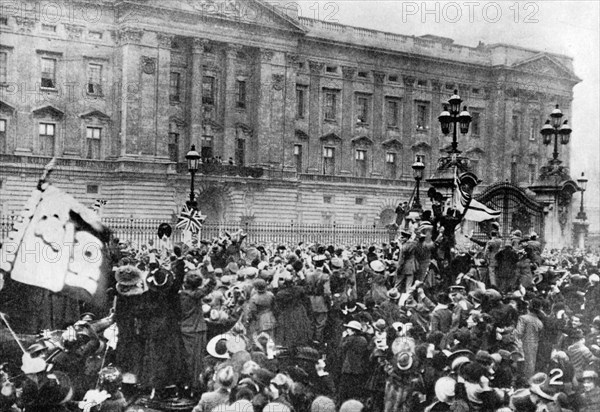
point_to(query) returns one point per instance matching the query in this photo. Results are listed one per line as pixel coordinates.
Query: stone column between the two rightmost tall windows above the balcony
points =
(226, 148)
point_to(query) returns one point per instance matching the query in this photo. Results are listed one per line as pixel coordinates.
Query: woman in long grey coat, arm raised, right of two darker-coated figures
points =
(192, 324)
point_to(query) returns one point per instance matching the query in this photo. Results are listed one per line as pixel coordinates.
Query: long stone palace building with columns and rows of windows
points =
(296, 119)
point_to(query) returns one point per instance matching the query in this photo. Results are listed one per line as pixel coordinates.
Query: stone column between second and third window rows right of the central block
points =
(346, 155)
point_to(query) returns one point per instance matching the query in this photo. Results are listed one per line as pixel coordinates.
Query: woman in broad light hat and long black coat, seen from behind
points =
(129, 312)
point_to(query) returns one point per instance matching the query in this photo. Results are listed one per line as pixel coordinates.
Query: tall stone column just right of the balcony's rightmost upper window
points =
(263, 121)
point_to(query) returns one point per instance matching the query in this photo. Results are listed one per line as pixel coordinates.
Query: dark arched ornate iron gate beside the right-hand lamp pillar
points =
(519, 211)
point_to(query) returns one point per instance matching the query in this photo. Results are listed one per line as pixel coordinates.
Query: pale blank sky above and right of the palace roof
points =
(566, 27)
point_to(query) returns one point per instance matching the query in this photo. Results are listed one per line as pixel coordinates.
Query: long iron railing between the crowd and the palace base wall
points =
(143, 231)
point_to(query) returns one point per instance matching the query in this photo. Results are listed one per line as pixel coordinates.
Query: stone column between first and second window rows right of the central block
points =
(314, 117)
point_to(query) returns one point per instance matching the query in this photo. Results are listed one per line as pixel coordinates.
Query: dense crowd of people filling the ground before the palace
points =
(411, 325)
